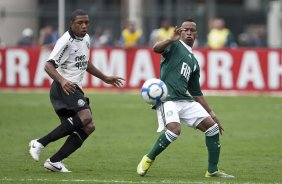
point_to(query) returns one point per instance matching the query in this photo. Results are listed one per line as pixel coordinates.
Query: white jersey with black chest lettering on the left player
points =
(71, 55)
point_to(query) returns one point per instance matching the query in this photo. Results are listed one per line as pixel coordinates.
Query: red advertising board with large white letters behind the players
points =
(257, 70)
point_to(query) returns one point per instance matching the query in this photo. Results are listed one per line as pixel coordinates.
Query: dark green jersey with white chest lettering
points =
(180, 71)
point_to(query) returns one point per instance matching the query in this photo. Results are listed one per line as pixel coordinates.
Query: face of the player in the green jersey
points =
(190, 33)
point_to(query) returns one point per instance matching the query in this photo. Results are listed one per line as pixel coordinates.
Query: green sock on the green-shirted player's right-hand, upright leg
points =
(213, 145)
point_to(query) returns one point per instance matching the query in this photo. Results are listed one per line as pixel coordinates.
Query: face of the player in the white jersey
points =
(80, 25)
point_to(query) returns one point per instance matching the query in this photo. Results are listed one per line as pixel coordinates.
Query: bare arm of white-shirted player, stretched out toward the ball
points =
(114, 80)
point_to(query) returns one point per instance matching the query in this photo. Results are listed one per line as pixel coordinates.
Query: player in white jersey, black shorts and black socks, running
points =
(67, 65)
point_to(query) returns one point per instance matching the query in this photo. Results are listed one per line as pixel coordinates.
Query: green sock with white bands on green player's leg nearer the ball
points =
(161, 144)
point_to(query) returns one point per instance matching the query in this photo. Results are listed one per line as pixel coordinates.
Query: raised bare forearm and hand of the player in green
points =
(159, 47)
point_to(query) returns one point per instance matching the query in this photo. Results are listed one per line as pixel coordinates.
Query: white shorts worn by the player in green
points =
(190, 113)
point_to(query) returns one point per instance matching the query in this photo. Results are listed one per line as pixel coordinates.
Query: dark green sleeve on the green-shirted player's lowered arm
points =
(194, 87)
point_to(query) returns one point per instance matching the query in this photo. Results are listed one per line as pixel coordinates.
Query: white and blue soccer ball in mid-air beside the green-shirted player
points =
(153, 91)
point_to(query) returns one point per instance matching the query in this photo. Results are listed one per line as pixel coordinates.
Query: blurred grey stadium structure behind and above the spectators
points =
(148, 14)
